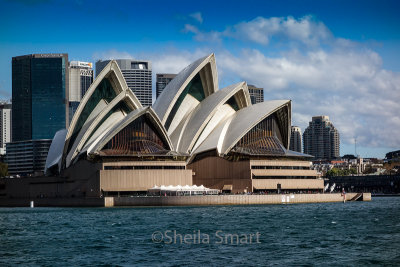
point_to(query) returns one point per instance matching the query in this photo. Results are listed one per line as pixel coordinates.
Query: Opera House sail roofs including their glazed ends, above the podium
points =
(191, 116)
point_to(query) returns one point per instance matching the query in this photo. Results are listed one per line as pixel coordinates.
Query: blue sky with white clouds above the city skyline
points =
(335, 58)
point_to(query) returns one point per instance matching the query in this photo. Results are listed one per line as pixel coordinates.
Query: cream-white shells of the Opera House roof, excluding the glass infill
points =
(199, 126)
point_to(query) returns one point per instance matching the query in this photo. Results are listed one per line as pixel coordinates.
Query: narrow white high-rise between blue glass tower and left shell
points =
(80, 78)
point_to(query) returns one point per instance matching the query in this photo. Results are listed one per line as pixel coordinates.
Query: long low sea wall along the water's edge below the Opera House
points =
(181, 200)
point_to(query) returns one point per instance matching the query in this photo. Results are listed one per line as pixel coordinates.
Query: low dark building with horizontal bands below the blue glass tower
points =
(27, 158)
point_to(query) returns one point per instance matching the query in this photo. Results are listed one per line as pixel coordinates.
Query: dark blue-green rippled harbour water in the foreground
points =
(354, 233)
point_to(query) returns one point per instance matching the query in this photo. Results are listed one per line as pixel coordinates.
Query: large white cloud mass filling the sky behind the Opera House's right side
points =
(323, 75)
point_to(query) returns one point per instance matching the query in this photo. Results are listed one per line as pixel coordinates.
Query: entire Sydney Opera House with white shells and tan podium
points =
(194, 134)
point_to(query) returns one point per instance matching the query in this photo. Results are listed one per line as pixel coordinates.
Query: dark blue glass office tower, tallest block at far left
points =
(39, 96)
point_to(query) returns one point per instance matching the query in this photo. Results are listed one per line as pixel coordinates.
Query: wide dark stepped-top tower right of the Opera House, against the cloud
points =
(321, 139)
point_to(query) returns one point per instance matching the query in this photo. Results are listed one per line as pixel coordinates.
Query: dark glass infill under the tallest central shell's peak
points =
(195, 89)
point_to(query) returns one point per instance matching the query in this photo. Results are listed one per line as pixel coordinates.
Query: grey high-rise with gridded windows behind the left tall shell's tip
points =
(137, 74)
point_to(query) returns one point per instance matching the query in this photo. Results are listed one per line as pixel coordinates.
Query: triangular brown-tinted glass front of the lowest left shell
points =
(138, 138)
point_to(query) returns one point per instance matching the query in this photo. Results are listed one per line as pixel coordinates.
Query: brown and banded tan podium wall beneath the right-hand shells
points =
(215, 172)
